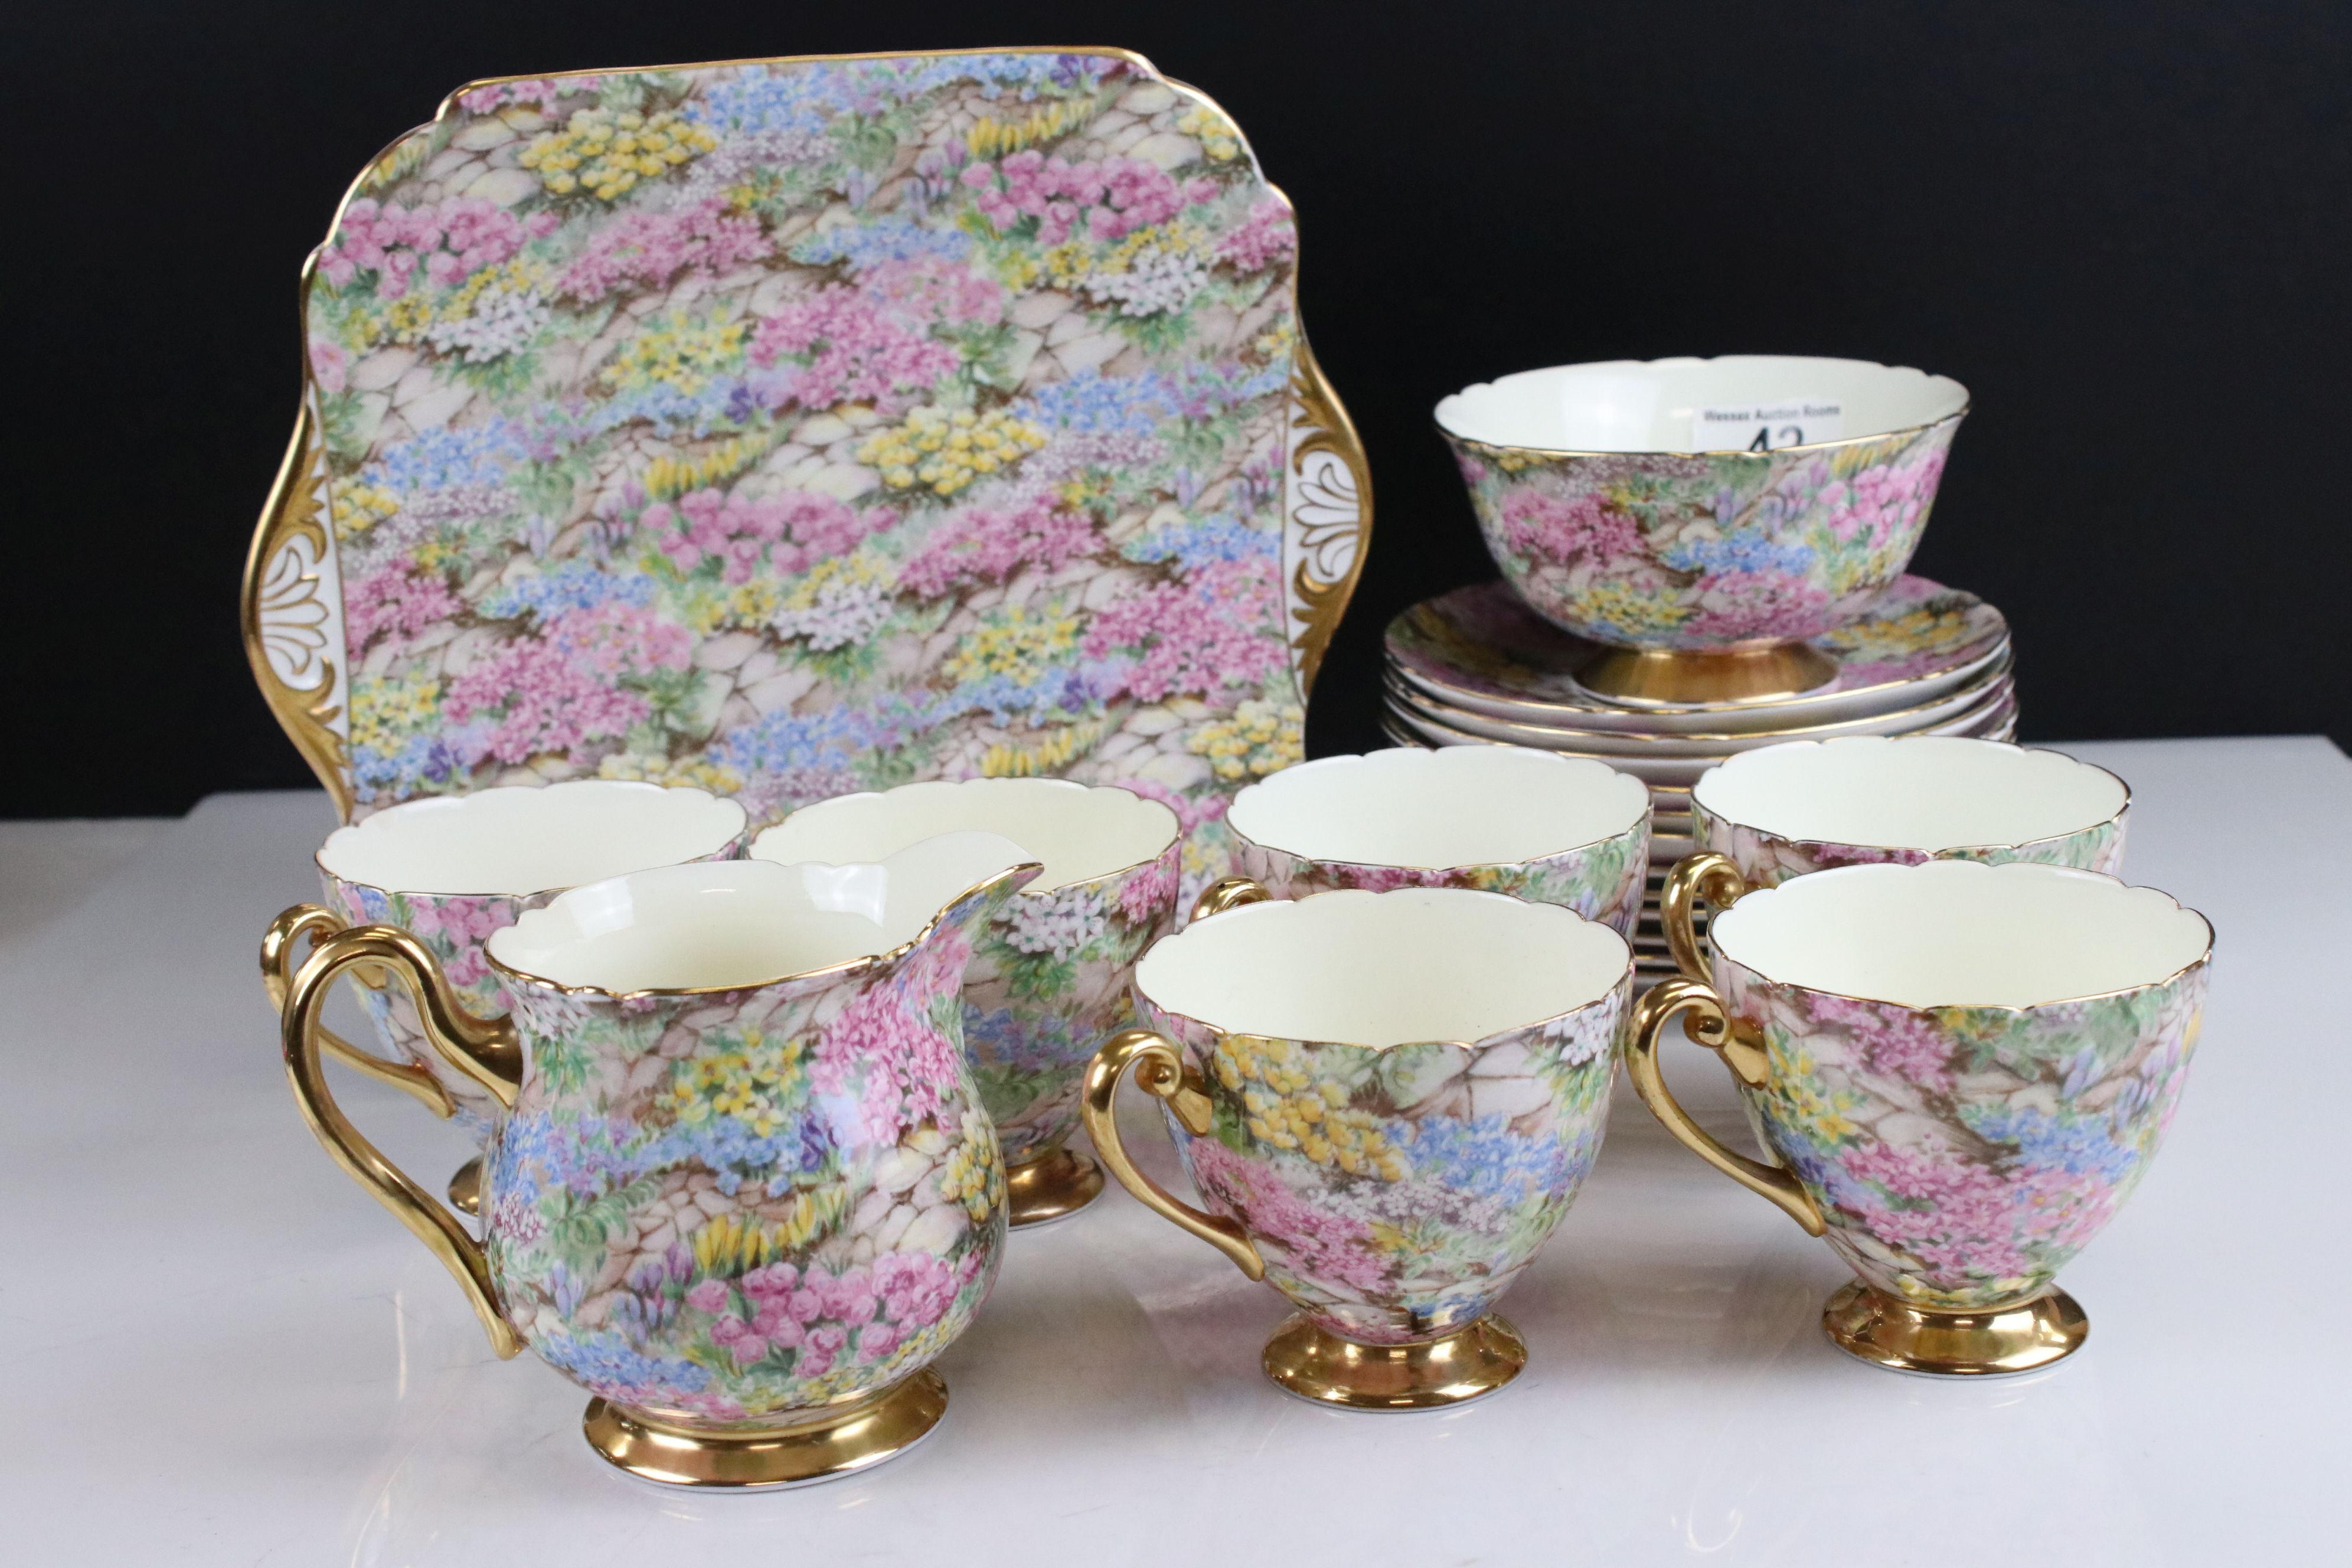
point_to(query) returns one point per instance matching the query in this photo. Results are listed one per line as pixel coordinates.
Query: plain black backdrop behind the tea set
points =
(2120, 225)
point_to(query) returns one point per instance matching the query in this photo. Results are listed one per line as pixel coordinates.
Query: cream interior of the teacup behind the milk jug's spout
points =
(1076, 831)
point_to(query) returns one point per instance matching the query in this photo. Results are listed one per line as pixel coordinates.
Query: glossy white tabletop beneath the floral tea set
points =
(220, 1351)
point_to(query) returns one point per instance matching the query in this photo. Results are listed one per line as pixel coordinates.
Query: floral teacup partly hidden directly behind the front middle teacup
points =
(1502, 819)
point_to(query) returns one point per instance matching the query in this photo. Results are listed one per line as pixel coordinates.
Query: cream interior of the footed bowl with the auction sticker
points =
(1648, 406)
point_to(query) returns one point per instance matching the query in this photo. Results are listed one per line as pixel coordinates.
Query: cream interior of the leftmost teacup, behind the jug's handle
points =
(519, 840)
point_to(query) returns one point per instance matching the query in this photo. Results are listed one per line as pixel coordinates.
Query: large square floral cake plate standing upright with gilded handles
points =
(808, 427)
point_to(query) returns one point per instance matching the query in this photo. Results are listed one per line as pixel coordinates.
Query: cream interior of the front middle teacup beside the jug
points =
(1384, 970)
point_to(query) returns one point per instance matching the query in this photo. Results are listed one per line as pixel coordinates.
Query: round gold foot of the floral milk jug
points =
(770, 1459)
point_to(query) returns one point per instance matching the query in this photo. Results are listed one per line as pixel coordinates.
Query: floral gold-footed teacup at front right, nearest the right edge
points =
(1963, 1071)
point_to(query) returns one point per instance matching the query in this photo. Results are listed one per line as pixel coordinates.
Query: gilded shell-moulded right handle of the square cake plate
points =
(1328, 509)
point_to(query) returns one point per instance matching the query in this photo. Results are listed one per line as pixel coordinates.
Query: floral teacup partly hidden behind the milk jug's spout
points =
(1050, 974)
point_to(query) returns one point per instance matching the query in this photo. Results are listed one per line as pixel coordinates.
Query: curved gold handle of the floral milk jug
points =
(479, 1047)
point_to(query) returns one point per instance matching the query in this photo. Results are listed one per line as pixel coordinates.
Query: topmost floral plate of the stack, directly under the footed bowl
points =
(1481, 648)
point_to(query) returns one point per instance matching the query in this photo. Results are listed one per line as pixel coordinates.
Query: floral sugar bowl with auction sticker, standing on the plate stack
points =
(1704, 516)
